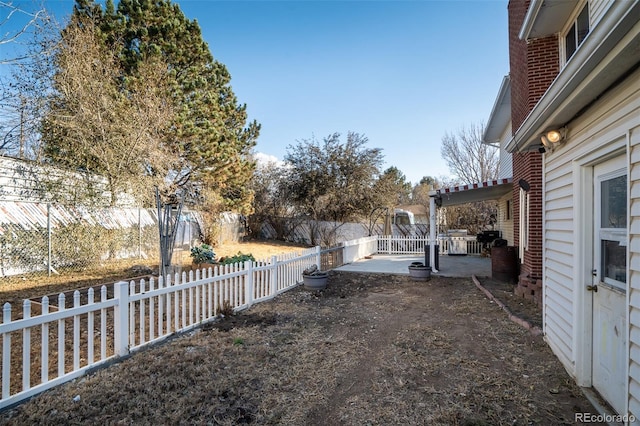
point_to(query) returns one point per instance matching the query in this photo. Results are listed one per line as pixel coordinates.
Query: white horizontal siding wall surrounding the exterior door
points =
(604, 130)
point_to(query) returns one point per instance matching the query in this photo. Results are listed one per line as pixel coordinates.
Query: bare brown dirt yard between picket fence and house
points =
(371, 349)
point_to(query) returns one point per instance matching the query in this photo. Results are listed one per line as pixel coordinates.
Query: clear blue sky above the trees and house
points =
(403, 73)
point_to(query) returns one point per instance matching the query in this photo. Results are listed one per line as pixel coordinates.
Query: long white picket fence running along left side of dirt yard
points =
(57, 343)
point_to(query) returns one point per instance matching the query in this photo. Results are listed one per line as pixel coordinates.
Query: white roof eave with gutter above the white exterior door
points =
(609, 54)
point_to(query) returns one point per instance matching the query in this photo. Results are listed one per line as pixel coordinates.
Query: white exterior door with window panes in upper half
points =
(609, 287)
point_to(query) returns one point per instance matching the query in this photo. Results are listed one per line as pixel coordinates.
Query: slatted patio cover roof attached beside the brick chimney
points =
(462, 194)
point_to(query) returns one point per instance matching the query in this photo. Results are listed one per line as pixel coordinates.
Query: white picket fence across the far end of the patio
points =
(396, 244)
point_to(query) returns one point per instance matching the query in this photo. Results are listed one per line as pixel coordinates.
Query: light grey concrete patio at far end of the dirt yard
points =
(450, 266)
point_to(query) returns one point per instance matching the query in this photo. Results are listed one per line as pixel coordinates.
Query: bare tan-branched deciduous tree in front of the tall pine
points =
(103, 130)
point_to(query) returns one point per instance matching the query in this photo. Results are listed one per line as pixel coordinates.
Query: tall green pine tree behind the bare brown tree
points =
(208, 134)
